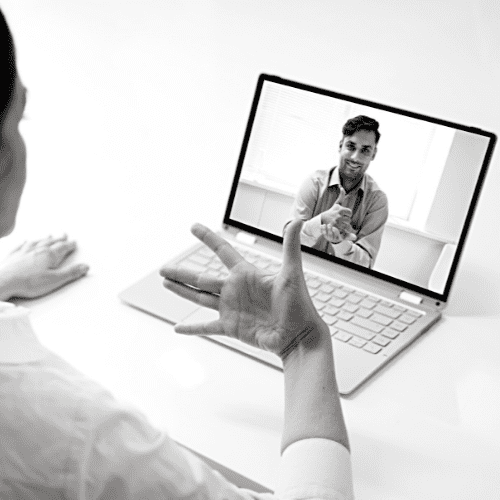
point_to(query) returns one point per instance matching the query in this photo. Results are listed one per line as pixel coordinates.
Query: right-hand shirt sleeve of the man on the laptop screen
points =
(365, 249)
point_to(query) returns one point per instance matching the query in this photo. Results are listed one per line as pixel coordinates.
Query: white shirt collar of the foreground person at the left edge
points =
(18, 342)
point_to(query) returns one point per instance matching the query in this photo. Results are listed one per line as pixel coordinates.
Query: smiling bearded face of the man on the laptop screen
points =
(356, 153)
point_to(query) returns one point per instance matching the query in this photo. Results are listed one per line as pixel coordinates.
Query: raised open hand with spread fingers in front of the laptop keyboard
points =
(266, 310)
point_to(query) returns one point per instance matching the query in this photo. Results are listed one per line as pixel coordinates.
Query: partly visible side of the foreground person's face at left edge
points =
(12, 161)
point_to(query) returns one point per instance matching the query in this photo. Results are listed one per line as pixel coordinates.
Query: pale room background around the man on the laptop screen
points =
(427, 171)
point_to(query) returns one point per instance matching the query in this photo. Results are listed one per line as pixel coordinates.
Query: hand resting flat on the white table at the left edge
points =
(35, 268)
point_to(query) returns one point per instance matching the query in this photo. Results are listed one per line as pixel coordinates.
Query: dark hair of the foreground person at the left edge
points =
(8, 70)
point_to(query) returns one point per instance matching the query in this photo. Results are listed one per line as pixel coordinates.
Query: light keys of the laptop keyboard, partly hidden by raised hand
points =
(355, 317)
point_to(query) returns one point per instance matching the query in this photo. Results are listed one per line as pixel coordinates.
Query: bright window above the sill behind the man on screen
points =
(296, 130)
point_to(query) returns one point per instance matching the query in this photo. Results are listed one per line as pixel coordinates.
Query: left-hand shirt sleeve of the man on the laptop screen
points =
(303, 208)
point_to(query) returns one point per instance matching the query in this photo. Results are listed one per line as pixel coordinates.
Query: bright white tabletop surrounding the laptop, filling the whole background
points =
(131, 101)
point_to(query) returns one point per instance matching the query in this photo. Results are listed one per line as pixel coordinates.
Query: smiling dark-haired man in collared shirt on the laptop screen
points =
(344, 208)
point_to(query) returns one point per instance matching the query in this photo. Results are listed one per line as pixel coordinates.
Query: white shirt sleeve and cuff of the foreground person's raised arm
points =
(127, 458)
